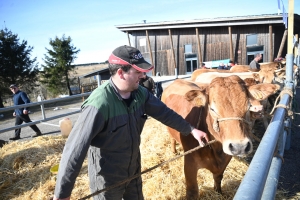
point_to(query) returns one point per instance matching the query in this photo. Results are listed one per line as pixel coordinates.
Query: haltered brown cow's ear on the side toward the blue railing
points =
(263, 91)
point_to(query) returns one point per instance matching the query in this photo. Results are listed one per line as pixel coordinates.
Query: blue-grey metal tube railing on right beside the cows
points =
(254, 182)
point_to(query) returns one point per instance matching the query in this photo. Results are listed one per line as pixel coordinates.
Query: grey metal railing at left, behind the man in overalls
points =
(42, 103)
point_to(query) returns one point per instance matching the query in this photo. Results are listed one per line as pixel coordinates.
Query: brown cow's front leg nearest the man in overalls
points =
(190, 171)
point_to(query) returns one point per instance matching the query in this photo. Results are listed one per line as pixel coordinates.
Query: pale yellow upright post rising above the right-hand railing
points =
(291, 27)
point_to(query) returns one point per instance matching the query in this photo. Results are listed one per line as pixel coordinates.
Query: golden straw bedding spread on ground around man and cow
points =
(25, 169)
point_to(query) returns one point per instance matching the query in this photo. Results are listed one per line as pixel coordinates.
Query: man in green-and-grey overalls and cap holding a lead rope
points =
(109, 129)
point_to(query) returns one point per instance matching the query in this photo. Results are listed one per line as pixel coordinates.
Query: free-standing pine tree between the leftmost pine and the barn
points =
(58, 65)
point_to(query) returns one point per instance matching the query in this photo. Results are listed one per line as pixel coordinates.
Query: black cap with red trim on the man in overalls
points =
(127, 55)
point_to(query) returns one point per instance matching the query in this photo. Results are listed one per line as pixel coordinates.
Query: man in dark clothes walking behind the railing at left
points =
(21, 114)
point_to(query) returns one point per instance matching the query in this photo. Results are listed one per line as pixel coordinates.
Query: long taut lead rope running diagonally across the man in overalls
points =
(147, 170)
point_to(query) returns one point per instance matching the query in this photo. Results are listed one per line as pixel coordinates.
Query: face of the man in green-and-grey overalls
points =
(132, 78)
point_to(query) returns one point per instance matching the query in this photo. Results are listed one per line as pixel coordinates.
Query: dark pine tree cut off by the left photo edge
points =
(16, 66)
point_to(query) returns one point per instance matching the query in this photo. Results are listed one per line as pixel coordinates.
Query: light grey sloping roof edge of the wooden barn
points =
(209, 22)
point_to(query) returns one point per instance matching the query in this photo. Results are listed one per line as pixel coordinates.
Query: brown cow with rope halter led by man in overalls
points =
(221, 109)
